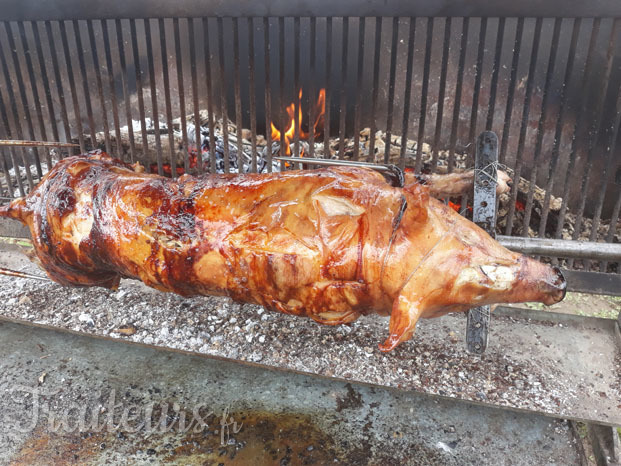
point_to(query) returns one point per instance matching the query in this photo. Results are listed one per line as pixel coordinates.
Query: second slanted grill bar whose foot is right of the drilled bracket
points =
(541, 125)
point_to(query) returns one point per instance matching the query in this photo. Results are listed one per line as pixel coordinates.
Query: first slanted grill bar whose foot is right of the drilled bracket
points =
(524, 126)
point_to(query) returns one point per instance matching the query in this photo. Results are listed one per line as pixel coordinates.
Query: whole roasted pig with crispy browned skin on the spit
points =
(329, 244)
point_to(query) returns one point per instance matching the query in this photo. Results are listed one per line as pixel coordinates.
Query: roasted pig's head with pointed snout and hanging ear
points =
(466, 268)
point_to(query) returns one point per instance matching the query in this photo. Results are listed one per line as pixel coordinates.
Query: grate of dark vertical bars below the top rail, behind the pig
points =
(548, 86)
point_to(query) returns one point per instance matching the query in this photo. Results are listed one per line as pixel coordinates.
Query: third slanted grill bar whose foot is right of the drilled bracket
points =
(558, 132)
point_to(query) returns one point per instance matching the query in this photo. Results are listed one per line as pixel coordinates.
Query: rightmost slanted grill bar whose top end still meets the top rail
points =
(594, 136)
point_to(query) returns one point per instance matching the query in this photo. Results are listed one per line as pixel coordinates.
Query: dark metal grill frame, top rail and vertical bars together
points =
(65, 17)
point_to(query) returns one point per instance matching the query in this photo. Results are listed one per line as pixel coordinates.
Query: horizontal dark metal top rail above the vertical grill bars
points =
(17, 10)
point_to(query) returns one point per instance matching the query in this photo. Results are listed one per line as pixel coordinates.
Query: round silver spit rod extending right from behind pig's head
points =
(562, 248)
